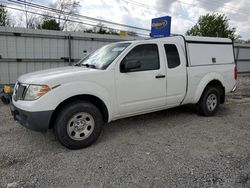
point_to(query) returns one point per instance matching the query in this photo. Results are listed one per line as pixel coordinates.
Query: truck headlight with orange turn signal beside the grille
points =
(35, 91)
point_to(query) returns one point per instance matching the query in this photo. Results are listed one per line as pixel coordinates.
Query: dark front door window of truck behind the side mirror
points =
(147, 54)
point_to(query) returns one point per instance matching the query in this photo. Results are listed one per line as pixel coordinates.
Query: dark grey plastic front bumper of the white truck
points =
(37, 121)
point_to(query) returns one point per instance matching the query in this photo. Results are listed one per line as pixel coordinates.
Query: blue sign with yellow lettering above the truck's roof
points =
(160, 27)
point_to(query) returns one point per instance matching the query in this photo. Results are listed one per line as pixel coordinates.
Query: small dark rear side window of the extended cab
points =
(172, 55)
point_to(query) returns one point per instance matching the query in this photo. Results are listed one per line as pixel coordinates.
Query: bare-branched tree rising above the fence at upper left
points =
(65, 9)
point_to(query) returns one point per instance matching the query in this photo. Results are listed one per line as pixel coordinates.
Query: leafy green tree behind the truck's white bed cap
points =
(213, 25)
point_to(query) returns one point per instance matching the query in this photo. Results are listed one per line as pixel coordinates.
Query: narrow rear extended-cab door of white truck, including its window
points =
(176, 74)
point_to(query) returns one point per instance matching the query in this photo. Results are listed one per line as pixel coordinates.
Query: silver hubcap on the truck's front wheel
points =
(80, 126)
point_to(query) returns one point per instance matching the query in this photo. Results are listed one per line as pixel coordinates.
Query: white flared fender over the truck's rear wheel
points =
(204, 82)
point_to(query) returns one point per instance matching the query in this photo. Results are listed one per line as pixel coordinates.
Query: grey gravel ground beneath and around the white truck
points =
(171, 148)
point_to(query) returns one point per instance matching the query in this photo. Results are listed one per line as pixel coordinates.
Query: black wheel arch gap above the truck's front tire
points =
(84, 97)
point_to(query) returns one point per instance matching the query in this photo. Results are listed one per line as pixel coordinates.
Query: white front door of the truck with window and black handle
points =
(141, 80)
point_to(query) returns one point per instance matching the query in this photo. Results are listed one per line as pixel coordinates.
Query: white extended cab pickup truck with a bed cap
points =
(125, 79)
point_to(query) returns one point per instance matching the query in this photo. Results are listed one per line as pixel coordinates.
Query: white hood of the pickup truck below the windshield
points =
(55, 75)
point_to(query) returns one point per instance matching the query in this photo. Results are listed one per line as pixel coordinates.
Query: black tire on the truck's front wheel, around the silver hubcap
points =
(66, 117)
